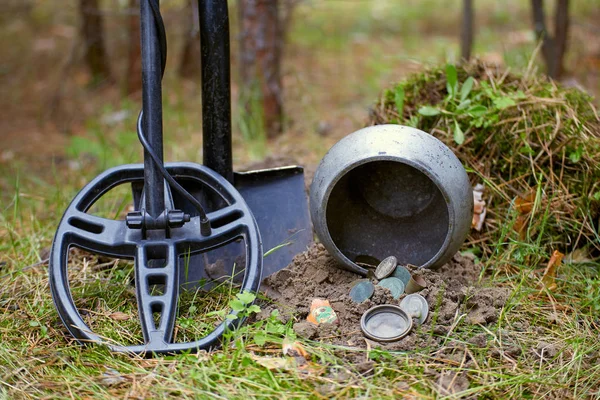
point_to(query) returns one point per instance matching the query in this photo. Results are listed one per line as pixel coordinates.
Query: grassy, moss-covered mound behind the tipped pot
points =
(534, 144)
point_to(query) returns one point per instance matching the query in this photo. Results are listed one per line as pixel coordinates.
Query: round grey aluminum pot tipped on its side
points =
(391, 190)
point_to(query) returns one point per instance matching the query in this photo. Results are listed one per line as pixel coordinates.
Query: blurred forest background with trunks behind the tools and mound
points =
(70, 75)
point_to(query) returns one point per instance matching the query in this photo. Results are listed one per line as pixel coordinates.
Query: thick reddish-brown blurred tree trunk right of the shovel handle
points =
(261, 46)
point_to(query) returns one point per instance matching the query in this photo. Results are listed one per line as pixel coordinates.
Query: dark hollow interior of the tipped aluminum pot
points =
(385, 208)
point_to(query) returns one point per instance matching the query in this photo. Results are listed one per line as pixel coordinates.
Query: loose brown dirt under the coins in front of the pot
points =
(451, 291)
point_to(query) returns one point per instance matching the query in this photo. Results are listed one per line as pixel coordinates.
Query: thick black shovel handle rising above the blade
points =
(216, 90)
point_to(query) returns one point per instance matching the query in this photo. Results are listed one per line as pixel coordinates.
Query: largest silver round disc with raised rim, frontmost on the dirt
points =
(385, 323)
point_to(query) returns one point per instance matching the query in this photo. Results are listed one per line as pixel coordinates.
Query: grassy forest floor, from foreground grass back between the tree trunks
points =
(57, 133)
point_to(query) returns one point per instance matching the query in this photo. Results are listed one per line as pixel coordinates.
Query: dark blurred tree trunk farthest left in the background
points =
(92, 30)
